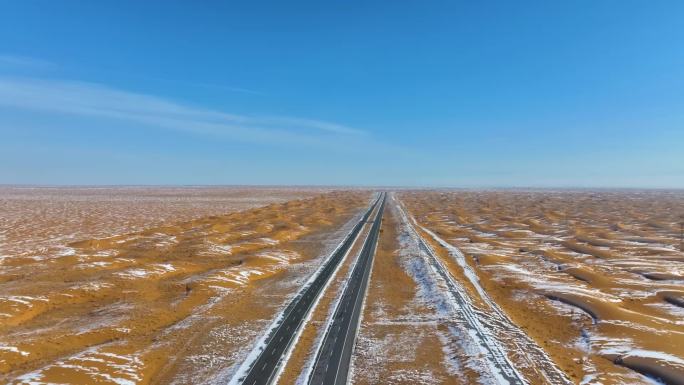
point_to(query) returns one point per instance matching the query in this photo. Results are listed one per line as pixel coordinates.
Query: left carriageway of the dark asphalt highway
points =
(265, 367)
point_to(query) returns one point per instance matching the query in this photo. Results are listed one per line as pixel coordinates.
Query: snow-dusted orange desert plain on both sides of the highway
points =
(161, 285)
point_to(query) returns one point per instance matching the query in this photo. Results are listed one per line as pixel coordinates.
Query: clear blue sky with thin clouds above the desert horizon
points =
(414, 93)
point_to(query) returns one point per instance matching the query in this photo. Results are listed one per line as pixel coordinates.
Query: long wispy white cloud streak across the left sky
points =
(97, 100)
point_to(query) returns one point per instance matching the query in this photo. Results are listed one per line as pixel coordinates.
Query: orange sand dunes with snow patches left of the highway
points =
(121, 308)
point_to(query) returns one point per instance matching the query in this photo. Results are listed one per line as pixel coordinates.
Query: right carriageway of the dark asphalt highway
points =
(334, 356)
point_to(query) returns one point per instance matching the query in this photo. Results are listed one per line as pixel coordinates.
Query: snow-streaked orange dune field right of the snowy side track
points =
(602, 264)
